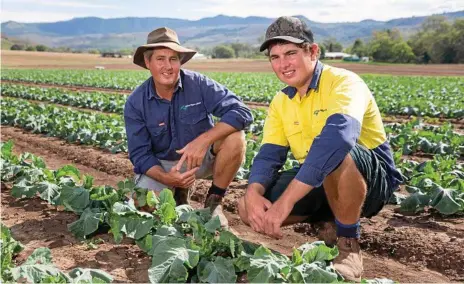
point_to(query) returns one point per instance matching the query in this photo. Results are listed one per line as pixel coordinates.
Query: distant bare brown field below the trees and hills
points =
(50, 60)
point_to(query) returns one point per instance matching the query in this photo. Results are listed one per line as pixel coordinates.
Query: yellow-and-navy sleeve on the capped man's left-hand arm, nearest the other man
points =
(273, 152)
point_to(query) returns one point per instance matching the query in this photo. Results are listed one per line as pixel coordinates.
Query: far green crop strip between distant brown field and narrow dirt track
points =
(405, 95)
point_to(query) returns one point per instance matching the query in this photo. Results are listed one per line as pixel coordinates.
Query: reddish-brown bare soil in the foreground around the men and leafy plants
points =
(424, 248)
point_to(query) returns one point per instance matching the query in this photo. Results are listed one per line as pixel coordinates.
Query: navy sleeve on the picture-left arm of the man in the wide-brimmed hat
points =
(138, 140)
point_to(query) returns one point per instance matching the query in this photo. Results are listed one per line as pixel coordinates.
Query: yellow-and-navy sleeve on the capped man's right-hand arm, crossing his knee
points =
(349, 100)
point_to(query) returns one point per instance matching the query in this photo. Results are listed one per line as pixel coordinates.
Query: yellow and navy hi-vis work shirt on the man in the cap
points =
(321, 127)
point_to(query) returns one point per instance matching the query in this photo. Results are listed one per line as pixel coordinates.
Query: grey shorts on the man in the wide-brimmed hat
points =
(205, 170)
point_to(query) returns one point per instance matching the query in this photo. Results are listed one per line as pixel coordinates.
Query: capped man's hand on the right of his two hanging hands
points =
(275, 216)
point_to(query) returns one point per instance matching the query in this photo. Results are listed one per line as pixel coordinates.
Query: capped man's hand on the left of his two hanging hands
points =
(256, 205)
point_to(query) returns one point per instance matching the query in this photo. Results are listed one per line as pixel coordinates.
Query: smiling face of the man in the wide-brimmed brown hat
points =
(164, 66)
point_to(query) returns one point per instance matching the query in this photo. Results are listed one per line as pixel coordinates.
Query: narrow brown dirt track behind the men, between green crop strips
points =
(253, 105)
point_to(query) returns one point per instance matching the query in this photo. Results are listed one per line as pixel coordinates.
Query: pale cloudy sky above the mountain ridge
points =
(328, 11)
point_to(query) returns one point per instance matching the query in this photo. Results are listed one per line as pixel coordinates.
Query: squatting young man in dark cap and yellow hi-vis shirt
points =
(329, 119)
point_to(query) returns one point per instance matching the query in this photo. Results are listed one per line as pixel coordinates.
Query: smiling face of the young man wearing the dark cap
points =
(292, 65)
